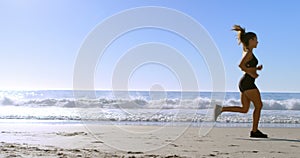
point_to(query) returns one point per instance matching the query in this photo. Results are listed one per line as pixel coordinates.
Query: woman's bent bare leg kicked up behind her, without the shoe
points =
(245, 105)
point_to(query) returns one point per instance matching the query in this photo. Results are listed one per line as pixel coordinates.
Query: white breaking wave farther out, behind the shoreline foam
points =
(141, 103)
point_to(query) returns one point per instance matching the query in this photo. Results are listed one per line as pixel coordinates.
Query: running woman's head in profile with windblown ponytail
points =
(248, 39)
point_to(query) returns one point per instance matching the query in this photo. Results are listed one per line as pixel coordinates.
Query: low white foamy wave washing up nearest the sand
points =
(87, 115)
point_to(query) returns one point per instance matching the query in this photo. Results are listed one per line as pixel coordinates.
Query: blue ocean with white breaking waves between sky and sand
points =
(142, 108)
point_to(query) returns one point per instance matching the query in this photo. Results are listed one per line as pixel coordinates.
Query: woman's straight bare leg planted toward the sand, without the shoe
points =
(254, 96)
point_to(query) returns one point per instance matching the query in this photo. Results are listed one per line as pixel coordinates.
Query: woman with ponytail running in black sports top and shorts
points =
(249, 91)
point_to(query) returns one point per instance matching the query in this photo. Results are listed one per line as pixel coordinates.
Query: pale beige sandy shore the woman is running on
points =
(77, 140)
